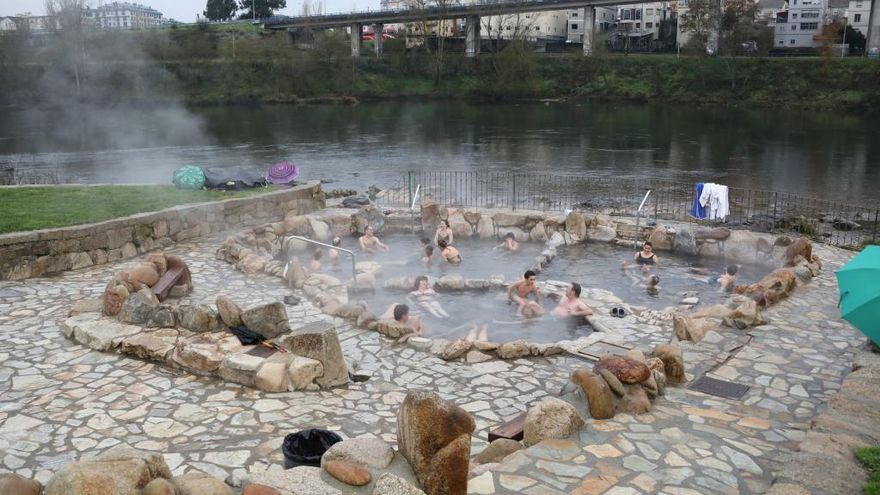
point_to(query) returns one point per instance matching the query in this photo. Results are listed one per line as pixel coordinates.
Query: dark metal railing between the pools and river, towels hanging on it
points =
(833, 222)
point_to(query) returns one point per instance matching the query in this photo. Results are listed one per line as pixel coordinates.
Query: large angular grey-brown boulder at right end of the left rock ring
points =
(319, 341)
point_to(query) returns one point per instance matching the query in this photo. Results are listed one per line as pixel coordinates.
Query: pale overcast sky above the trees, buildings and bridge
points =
(184, 10)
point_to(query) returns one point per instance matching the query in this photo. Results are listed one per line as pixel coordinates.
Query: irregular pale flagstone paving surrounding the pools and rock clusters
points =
(60, 401)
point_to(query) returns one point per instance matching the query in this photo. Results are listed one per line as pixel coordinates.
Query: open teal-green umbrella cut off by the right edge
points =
(859, 285)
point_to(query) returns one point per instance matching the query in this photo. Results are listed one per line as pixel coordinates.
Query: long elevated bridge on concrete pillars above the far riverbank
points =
(470, 12)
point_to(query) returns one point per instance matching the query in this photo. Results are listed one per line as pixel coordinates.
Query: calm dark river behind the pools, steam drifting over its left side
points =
(830, 155)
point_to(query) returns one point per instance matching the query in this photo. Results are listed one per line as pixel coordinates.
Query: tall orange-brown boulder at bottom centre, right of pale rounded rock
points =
(434, 435)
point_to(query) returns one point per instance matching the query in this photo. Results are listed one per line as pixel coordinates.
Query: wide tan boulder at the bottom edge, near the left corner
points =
(120, 471)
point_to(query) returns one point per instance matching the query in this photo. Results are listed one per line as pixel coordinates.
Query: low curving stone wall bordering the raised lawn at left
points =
(40, 252)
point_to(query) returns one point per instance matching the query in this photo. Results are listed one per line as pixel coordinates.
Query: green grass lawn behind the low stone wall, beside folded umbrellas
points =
(31, 208)
